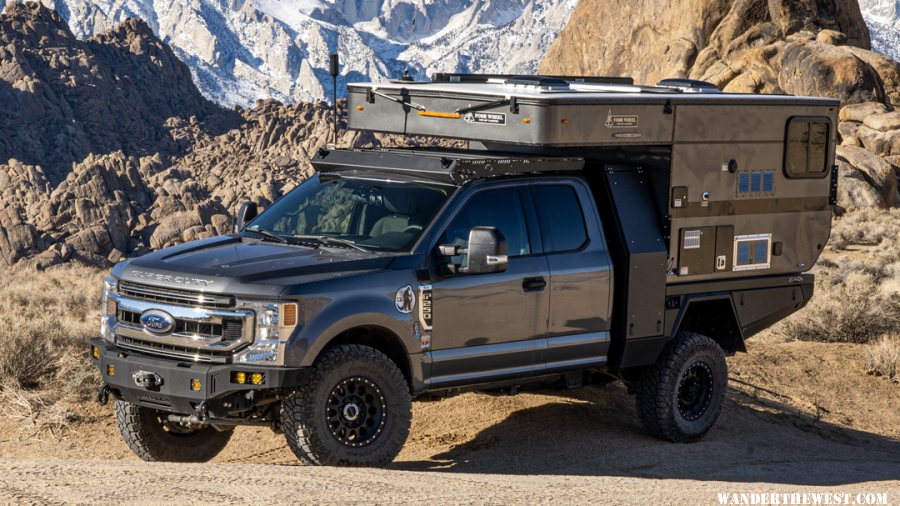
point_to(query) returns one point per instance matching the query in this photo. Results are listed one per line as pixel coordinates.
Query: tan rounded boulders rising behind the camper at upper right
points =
(798, 47)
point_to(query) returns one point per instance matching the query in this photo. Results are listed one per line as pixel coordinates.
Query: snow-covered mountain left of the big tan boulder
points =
(242, 50)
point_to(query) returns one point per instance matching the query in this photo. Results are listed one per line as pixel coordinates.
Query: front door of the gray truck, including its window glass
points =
(490, 326)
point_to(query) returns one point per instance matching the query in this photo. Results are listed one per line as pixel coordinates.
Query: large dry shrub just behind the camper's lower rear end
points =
(848, 306)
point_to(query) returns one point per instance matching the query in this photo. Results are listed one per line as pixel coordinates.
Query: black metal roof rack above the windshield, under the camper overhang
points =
(449, 166)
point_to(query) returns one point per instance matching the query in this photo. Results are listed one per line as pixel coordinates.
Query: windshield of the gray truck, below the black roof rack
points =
(374, 215)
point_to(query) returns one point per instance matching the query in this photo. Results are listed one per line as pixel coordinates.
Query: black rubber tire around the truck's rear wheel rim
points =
(656, 388)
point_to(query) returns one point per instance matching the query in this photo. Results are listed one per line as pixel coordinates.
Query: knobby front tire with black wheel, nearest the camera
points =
(310, 433)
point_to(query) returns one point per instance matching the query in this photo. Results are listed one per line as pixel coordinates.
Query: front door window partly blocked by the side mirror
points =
(491, 208)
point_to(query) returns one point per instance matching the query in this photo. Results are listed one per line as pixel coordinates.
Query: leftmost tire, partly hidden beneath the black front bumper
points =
(150, 440)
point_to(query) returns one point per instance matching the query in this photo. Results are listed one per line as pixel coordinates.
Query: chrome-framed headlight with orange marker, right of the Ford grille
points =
(274, 324)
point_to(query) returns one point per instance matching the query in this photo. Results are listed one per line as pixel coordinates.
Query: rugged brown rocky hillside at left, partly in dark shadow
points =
(107, 148)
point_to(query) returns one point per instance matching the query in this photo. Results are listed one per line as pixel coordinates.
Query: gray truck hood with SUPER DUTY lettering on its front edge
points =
(245, 266)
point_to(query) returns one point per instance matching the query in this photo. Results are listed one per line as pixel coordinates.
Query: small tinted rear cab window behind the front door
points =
(560, 217)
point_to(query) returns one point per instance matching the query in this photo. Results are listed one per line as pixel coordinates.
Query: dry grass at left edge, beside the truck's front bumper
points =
(46, 321)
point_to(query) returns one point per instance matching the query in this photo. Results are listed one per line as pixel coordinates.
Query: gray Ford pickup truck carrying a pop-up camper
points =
(594, 231)
